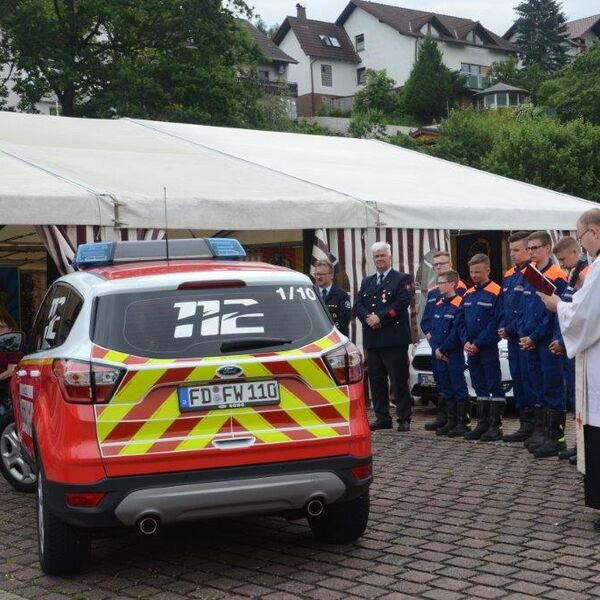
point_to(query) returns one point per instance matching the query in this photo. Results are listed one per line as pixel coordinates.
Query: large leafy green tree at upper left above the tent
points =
(161, 59)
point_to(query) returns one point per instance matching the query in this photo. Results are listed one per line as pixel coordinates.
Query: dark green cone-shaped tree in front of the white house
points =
(431, 87)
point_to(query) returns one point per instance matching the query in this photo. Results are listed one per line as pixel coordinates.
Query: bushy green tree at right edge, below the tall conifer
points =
(575, 91)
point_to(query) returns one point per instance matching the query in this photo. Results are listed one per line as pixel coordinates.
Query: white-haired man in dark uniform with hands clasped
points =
(382, 307)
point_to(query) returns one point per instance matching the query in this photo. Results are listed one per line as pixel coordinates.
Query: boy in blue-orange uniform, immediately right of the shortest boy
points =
(478, 321)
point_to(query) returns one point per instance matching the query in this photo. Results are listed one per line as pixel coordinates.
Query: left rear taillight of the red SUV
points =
(84, 382)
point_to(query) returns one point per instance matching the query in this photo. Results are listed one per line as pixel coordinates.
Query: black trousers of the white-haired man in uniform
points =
(389, 365)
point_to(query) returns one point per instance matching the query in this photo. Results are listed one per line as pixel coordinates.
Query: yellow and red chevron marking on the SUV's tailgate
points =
(144, 417)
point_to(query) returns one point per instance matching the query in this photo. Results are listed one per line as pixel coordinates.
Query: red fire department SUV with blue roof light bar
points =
(163, 390)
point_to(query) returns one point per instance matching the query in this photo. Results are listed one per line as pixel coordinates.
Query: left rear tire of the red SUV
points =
(63, 549)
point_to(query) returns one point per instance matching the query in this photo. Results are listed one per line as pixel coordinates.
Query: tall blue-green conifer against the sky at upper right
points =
(542, 34)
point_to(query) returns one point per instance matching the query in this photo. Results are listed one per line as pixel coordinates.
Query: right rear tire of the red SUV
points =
(343, 522)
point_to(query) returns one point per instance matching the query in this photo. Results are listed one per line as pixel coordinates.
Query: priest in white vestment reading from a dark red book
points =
(580, 327)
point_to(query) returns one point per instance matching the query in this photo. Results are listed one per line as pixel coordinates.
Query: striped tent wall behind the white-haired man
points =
(350, 247)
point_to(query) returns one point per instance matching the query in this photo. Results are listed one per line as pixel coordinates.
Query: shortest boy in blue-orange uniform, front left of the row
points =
(447, 352)
